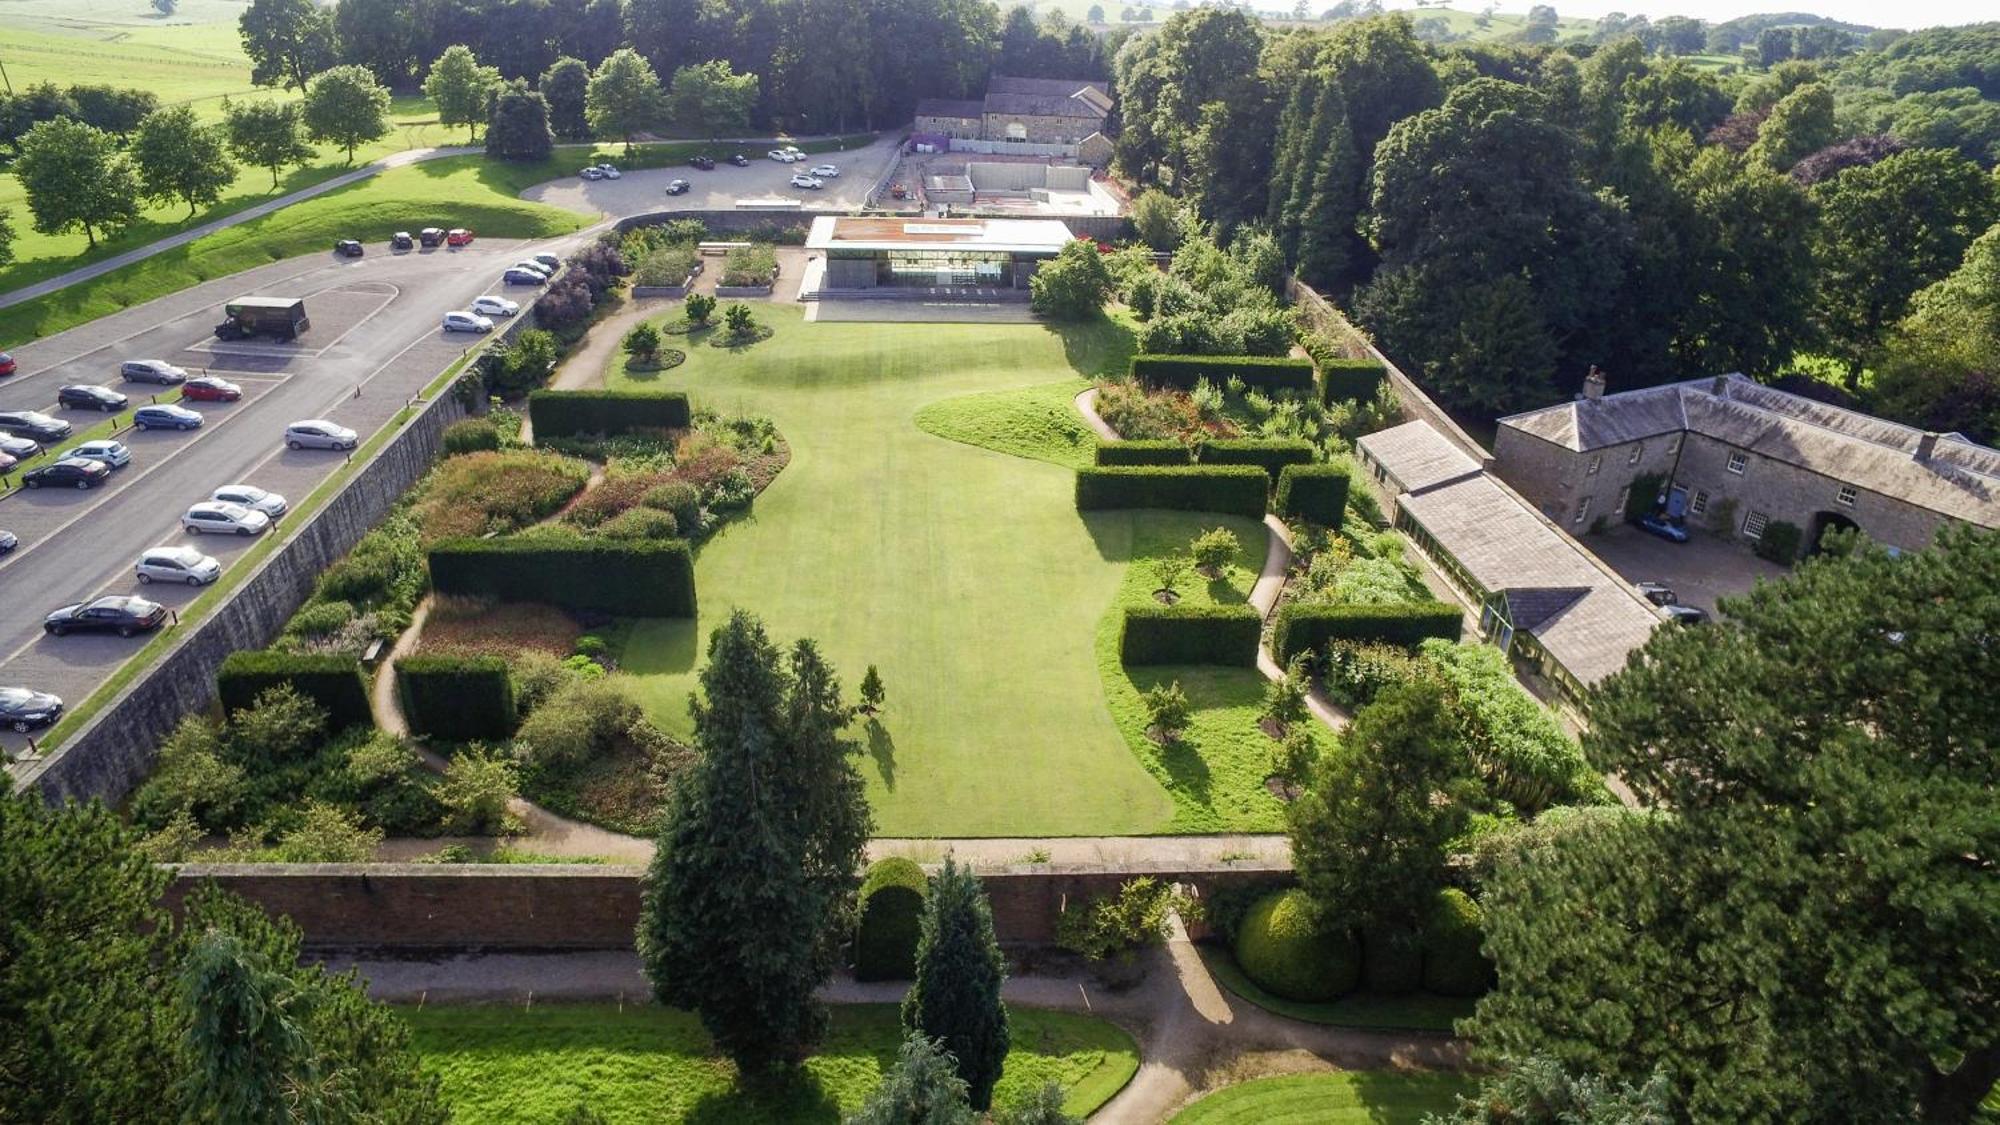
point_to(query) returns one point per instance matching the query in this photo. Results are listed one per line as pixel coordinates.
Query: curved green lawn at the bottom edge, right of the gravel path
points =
(1341, 1098)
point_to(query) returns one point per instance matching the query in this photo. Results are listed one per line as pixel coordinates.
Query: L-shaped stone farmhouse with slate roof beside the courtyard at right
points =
(1737, 459)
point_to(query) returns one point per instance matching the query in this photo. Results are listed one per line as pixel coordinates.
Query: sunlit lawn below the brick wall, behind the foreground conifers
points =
(649, 1064)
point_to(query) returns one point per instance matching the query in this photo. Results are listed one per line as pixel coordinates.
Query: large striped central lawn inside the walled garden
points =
(965, 576)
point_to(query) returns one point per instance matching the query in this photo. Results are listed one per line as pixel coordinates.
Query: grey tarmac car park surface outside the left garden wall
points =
(375, 343)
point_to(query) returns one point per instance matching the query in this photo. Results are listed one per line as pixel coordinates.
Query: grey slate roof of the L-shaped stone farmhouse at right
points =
(1959, 479)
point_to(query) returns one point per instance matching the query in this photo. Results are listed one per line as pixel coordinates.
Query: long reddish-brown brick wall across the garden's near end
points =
(429, 906)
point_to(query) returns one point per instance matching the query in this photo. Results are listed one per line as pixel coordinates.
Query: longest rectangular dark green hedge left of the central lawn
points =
(631, 578)
